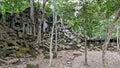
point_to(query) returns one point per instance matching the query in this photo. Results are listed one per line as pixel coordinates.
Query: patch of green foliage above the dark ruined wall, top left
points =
(13, 6)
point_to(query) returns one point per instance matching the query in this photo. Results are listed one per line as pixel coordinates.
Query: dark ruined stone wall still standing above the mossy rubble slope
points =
(21, 21)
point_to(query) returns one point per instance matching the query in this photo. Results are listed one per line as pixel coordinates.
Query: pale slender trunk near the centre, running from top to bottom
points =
(54, 22)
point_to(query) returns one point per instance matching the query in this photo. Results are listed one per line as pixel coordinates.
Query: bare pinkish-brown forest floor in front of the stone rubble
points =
(72, 59)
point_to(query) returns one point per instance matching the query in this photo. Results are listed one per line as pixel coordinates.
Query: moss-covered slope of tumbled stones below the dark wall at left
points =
(14, 43)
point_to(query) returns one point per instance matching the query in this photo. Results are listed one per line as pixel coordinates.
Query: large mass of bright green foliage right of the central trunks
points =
(92, 17)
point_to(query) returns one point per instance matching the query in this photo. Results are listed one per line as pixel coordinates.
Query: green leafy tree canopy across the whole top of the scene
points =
(90, 17)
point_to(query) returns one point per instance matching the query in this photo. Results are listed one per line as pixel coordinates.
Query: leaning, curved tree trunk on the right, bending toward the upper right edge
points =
(109, 34)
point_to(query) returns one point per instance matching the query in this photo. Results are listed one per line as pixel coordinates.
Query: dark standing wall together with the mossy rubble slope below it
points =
(14, 40)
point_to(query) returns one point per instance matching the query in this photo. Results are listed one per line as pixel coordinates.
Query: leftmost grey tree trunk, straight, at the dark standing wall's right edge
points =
(32, 16)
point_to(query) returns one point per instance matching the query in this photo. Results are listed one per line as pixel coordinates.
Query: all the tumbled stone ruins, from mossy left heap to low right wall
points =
(15, 37)
